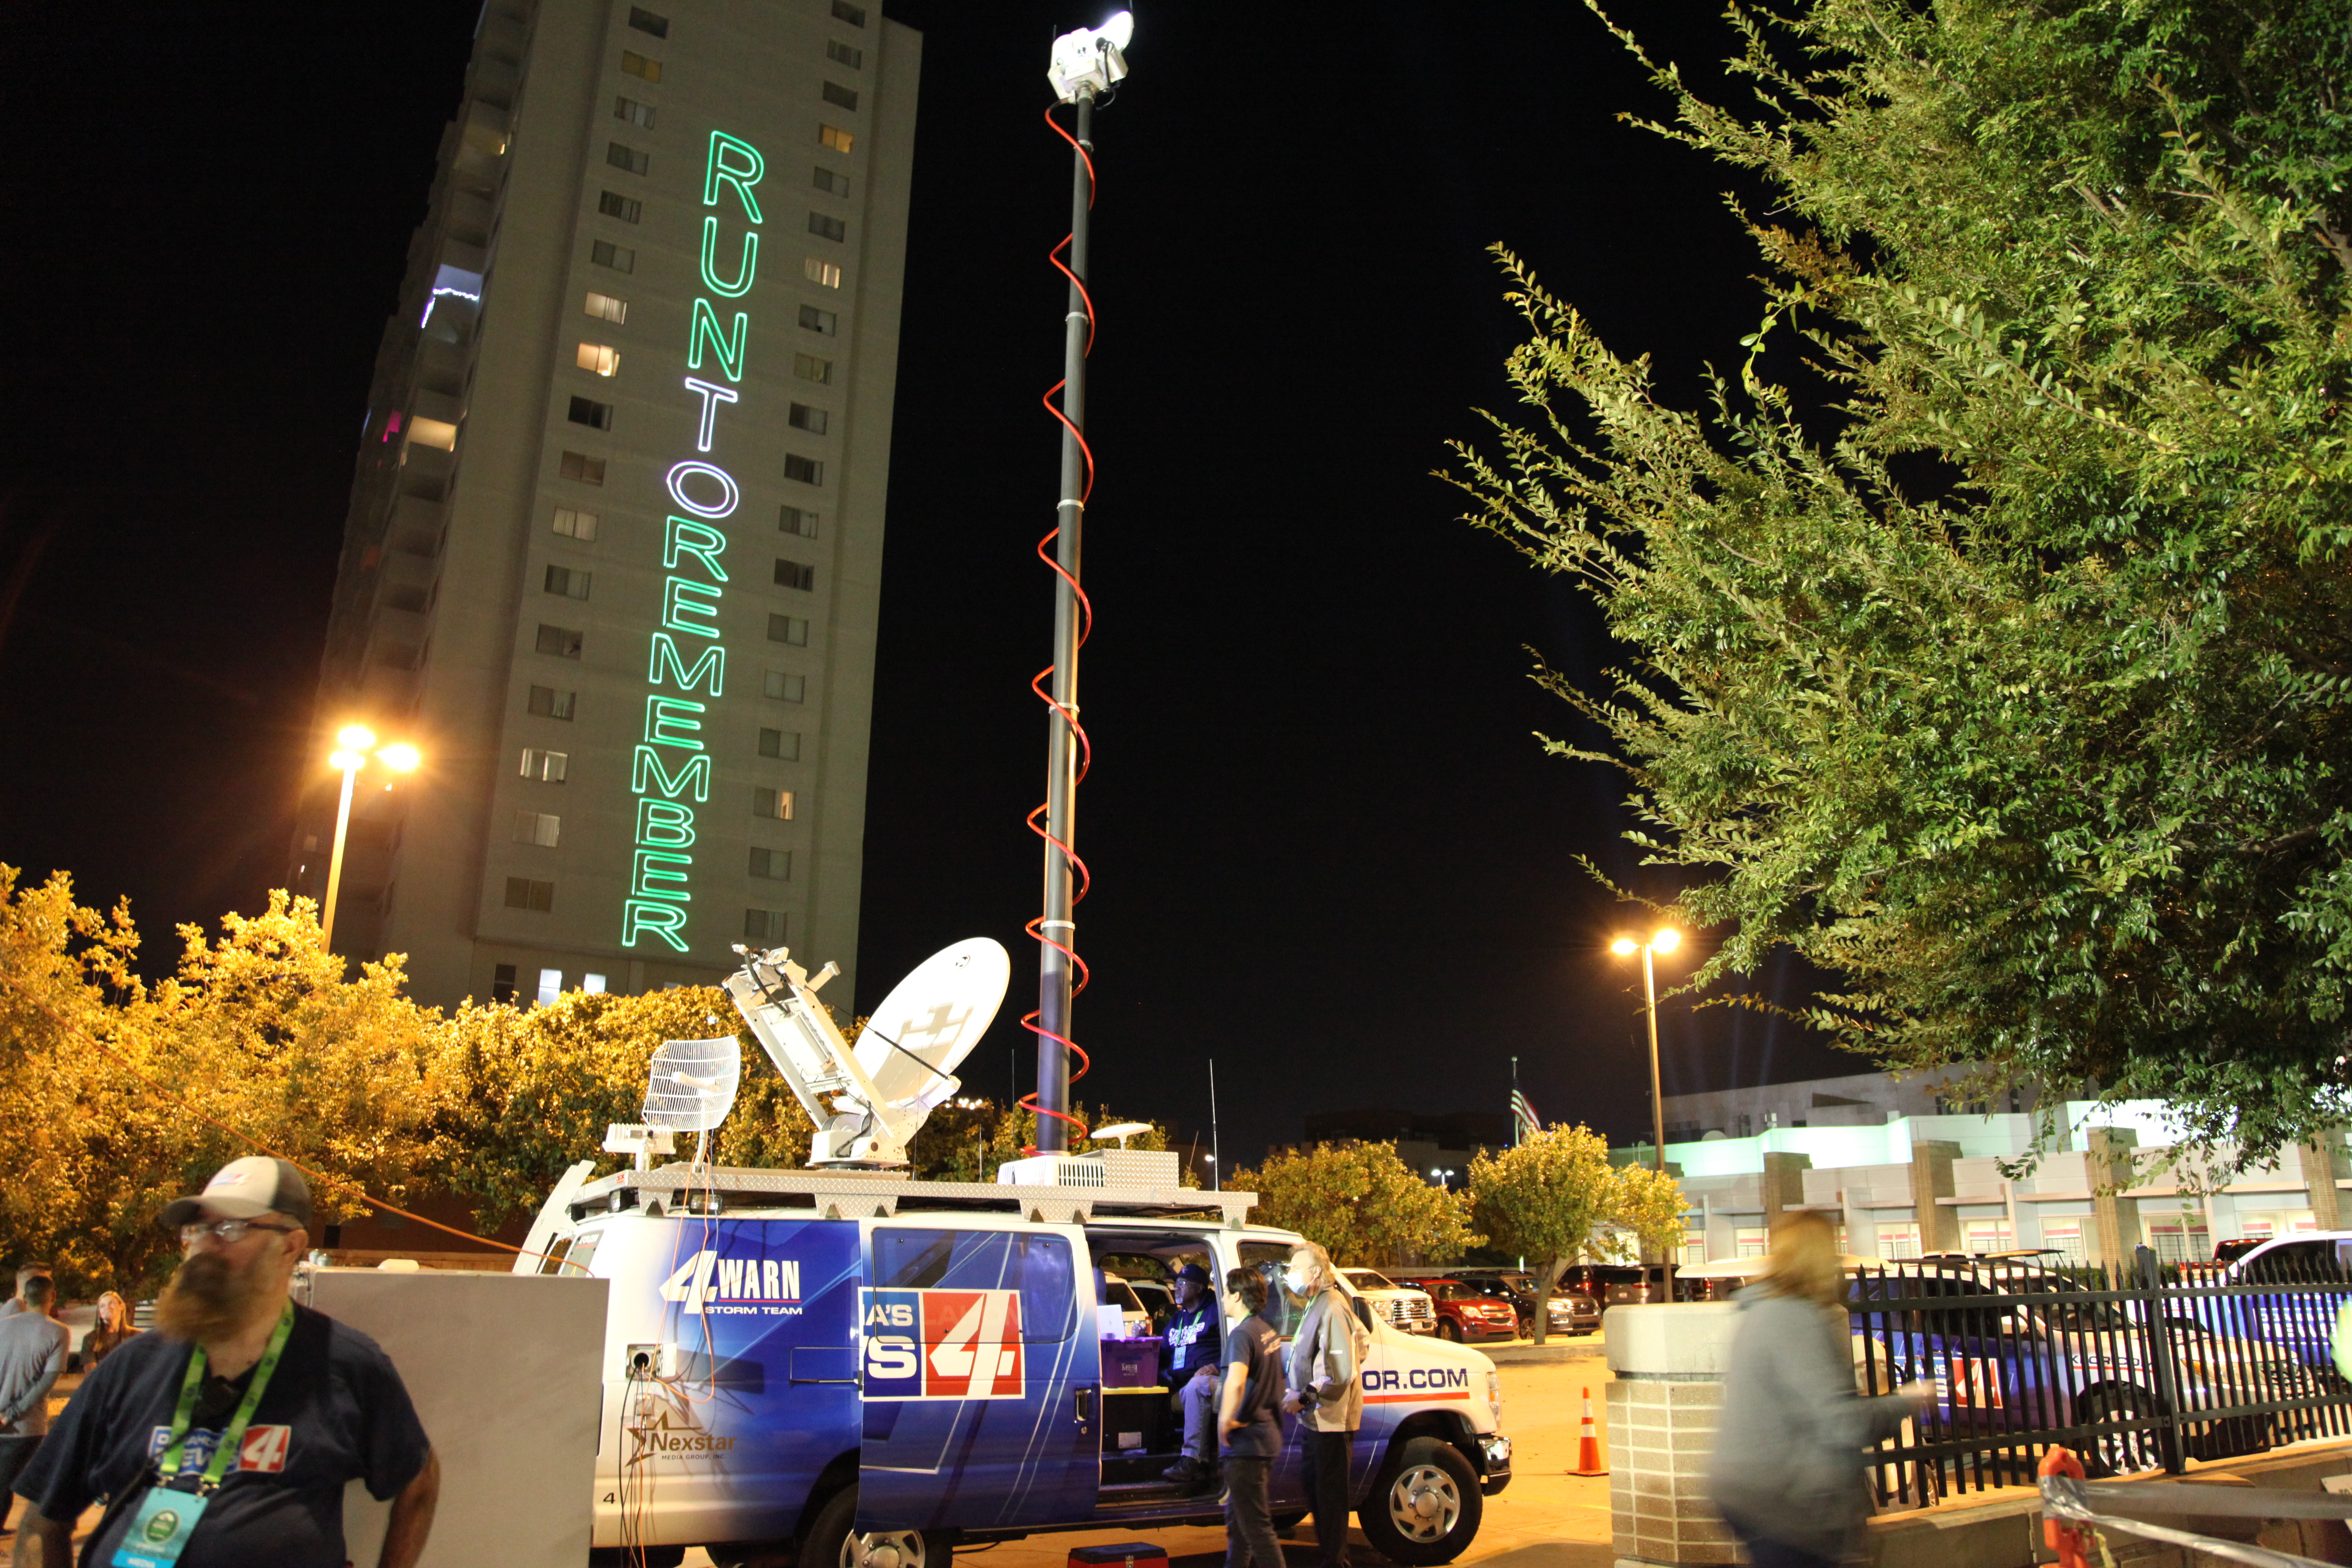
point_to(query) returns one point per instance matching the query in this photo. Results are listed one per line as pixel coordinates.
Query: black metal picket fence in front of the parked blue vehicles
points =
(2134, 1369)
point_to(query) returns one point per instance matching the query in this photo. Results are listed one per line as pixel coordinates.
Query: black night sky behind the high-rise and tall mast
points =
(1328, 847)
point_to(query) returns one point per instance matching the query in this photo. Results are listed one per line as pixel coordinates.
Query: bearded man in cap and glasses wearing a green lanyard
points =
(225, 1440)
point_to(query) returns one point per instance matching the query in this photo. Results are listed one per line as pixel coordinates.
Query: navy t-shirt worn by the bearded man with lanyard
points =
(335, 1412)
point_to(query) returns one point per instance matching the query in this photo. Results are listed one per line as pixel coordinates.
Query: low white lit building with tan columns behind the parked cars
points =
(1932, 1184)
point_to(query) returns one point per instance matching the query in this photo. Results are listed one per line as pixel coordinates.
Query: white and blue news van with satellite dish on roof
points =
(850, 1369)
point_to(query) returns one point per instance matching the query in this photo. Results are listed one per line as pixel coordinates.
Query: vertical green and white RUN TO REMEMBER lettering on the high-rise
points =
(669, 772)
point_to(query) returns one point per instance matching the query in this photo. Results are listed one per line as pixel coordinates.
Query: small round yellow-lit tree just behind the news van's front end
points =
(1361, 1205)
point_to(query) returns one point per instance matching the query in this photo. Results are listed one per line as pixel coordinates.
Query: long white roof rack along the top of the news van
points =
(862, 1195)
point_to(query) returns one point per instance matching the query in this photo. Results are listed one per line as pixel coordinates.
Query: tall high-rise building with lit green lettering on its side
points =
(615, 542)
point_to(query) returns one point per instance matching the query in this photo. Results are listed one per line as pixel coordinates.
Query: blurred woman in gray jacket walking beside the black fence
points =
(1789, 1447)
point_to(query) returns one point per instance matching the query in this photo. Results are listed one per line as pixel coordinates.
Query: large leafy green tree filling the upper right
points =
(1991, 636)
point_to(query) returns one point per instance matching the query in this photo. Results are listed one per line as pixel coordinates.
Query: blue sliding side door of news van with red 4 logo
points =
(982, 1376)
